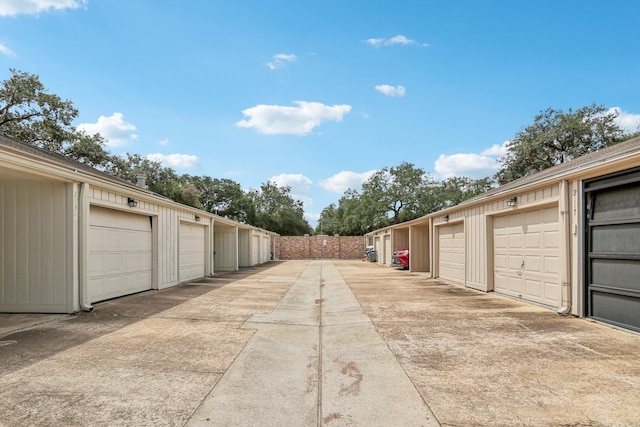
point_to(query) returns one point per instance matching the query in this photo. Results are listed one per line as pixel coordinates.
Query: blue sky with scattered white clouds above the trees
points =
(318, 95)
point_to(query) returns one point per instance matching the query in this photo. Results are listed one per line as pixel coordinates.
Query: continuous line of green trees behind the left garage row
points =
(31, 114)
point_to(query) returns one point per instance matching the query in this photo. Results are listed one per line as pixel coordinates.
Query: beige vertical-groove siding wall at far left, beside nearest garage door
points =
(36, 246)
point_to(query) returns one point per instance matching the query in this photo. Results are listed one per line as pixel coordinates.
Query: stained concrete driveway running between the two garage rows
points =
(310, 343)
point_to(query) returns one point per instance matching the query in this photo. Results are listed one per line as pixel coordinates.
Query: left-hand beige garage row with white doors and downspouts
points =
(71, 236)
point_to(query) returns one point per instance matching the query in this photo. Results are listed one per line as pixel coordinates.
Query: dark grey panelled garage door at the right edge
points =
(613, 250)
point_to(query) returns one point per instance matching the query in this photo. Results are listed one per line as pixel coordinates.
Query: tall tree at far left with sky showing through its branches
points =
(31, 114)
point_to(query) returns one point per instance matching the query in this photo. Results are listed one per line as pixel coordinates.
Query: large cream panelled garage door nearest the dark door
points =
(527, 255)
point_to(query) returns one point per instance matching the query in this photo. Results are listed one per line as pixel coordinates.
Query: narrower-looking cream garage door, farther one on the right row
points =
(451, 255)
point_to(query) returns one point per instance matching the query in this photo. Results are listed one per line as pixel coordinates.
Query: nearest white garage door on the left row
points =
(120, 253)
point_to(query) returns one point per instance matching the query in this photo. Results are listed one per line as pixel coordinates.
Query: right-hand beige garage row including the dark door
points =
(567, 238)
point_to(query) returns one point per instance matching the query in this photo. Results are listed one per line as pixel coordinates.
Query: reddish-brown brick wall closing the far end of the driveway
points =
(316, 247)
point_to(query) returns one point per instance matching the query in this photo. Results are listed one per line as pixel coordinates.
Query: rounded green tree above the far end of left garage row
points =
(277, 211)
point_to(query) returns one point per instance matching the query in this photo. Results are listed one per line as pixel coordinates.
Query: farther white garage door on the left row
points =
(192, 252)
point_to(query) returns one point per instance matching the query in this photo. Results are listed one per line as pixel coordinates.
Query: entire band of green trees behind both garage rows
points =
(390, 196)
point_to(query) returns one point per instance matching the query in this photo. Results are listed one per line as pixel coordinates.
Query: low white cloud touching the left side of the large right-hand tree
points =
(471, 165)
